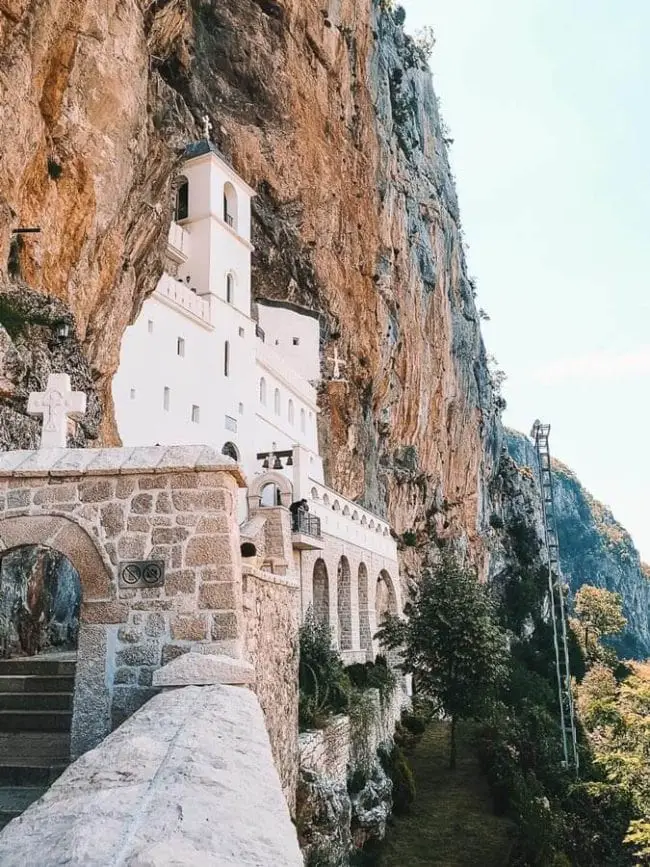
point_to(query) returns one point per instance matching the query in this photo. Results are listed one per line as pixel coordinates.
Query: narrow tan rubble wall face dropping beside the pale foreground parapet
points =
(271, 629)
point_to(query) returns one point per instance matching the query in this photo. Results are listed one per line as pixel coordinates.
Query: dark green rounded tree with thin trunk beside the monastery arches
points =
(451, 642)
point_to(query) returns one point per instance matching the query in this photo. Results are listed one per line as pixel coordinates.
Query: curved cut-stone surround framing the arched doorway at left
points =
(91, 718)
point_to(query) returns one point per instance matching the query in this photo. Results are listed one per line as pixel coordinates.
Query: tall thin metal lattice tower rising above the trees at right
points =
(556, 587)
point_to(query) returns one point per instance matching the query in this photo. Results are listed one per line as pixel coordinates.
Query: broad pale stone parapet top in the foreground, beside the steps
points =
(188, 780)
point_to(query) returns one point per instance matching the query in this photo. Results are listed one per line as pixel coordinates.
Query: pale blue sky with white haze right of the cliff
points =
(547, 101)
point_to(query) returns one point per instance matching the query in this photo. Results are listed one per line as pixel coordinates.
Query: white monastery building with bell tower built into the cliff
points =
(203, 364)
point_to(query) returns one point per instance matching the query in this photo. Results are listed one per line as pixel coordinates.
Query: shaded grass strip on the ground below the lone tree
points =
(451, 823)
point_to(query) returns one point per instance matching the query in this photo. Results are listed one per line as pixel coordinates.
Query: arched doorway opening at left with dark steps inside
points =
(40, 599)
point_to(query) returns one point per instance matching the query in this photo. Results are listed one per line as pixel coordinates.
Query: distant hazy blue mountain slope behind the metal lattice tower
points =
(595, 548)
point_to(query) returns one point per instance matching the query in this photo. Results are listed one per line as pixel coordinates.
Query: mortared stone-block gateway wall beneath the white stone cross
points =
(100, 507)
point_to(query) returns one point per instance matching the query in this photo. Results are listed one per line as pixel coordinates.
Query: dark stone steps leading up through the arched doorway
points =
(35, 717)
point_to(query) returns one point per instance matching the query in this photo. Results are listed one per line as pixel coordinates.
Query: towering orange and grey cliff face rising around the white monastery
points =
(327, 110)
